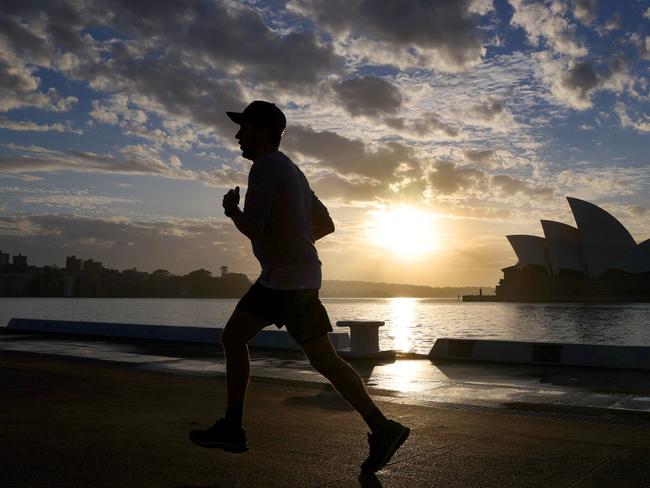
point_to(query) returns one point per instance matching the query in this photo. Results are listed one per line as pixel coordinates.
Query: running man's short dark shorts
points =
(299, 310)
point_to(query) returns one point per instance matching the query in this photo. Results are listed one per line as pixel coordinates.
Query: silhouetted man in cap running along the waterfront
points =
(283, 218)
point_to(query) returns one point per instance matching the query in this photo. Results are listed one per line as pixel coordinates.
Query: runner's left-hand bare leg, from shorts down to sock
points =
(241, 328)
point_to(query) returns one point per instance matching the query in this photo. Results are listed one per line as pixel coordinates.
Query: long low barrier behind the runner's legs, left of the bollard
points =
(266, 338)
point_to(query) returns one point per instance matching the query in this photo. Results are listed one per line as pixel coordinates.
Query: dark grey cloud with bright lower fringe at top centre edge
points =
(439, 35)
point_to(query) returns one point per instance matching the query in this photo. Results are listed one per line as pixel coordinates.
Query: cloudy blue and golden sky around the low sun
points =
(430, 129)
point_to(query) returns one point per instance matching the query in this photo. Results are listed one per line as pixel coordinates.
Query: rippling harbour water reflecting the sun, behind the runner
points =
(412, 324)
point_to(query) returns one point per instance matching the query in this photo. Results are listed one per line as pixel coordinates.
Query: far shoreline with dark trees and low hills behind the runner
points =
(91, 279)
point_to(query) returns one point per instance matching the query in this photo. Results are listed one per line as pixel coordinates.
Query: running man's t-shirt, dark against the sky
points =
(279, 195)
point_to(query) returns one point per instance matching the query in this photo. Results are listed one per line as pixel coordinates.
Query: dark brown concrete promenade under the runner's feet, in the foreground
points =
(74, 421)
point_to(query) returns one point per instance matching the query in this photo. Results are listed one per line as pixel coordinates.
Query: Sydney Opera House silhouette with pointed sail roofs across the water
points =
(596, 261)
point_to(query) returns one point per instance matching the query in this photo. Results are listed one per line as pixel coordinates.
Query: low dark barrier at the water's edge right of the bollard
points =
(592, 355)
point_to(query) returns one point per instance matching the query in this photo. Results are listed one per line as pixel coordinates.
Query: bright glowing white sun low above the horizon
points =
(408, 233)
